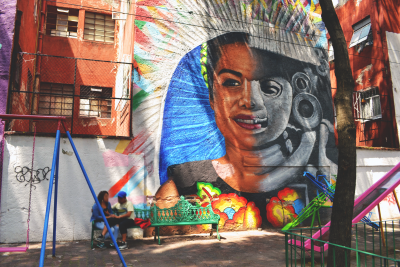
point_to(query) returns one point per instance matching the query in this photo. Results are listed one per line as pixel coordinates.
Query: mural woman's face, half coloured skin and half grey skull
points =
(252, 102)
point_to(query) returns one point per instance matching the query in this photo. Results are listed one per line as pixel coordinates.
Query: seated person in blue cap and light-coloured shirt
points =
(126, 216)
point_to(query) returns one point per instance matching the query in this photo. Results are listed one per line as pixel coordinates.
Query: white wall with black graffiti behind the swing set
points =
(104, 167)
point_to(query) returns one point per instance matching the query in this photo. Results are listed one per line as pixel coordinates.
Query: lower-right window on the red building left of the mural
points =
(95, 102)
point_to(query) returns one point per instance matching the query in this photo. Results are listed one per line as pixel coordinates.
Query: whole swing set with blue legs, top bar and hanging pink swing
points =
(53, 181)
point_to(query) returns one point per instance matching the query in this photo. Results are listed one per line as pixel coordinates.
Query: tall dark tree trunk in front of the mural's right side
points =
(342, 210)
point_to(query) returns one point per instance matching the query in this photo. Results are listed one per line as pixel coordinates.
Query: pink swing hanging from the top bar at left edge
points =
(20, 249)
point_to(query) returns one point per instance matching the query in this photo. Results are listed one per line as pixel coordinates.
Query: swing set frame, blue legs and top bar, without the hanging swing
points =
(54, 181)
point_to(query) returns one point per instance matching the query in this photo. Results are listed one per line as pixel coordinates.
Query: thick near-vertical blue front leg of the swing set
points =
(46, 219)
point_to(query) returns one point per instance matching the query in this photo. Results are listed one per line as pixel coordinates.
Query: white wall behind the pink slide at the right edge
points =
(371, 166)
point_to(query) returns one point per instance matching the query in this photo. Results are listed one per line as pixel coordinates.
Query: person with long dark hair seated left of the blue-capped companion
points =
(98, 219)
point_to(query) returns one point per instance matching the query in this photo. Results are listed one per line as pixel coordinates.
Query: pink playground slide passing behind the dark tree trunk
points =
(363, 204)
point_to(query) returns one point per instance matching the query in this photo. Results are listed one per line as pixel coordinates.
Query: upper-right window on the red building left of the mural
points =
(99, 27)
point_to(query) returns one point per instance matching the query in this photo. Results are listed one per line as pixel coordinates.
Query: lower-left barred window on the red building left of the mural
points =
(56, 99)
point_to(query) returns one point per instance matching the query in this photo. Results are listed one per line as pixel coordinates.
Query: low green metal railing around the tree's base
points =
(369, 247)
